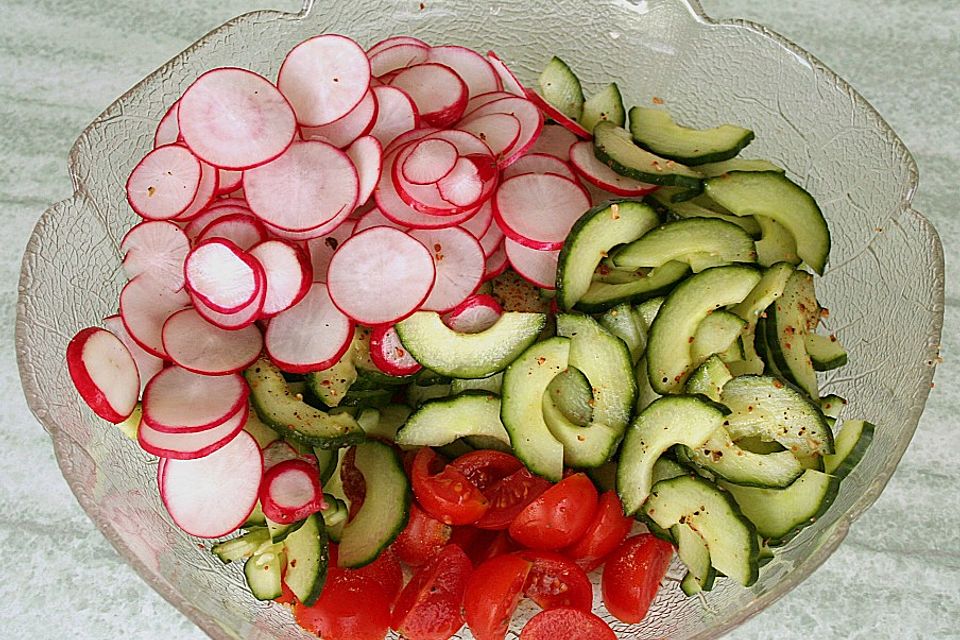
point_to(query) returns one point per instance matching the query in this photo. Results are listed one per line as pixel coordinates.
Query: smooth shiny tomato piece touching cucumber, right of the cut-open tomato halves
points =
(559, 516)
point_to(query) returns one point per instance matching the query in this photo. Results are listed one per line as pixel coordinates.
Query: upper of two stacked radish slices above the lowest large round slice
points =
(181, 401)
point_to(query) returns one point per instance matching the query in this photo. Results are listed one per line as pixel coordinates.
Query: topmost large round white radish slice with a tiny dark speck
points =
(324, 78)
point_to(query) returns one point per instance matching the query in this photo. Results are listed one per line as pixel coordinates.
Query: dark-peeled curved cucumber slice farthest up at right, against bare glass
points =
(656, 131)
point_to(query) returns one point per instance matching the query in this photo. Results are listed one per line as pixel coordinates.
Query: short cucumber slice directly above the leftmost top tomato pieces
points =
(440, 422)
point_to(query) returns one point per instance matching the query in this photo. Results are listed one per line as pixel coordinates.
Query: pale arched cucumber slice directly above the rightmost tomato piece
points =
(671, 420)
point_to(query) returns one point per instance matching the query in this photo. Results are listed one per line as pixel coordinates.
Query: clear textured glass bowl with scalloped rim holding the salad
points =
(884, 286)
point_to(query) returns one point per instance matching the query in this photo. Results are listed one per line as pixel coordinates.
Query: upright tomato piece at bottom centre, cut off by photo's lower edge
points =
(492, 594)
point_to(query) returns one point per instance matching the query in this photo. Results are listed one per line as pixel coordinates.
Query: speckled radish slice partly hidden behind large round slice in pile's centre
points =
(459, 262)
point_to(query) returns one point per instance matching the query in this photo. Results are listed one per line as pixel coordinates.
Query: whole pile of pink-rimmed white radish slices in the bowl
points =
(358, 188)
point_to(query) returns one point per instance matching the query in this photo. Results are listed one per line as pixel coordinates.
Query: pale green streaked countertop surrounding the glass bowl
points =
(61, 63)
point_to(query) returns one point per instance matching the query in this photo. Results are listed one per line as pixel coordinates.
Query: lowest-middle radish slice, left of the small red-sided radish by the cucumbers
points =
(310, 336)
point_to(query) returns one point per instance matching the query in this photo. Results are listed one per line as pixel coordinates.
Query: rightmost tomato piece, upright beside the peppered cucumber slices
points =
(632, 575)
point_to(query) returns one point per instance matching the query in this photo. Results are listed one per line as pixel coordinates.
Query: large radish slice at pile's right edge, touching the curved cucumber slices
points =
(538, 210)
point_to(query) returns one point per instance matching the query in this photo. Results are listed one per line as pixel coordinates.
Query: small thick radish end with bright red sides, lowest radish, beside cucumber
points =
(290, 491)
